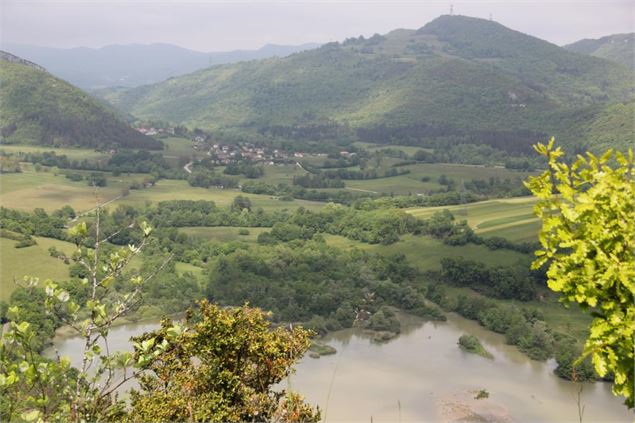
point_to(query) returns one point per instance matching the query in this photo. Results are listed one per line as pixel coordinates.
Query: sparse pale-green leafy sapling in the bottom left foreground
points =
(33, 388)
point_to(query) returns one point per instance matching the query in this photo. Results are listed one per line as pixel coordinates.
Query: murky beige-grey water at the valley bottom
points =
(423, 376)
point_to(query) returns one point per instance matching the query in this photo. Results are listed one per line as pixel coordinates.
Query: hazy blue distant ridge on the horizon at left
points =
(132, 65)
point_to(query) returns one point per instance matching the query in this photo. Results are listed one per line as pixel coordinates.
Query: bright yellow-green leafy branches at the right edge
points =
(588, 240)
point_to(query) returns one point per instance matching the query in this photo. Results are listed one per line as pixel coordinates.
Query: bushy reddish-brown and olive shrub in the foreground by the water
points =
(220, 366)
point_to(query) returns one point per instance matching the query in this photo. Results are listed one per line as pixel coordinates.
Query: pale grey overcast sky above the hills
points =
(209, 25)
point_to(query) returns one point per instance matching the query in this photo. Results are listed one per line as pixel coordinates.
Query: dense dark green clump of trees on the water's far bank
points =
(308, 281)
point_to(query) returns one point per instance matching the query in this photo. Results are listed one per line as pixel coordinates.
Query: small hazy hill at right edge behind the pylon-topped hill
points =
(619, 48)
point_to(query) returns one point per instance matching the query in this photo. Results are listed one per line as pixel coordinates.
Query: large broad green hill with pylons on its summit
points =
(455, 78)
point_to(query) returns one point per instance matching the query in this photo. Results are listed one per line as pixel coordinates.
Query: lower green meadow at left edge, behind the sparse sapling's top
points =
(32, 261)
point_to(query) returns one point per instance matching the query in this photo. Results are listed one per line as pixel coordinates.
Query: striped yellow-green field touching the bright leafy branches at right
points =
(510, 218)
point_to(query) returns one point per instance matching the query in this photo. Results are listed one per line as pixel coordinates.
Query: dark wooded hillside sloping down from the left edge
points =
(38, 108)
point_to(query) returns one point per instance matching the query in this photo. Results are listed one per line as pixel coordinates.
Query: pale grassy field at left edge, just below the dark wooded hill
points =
(30, 189)
